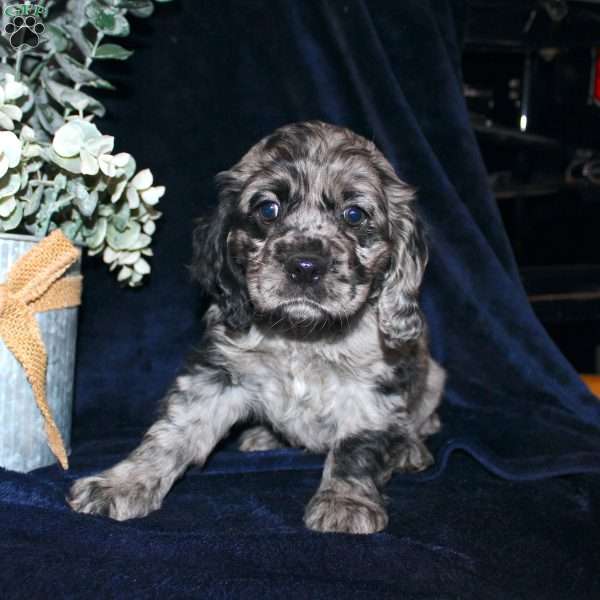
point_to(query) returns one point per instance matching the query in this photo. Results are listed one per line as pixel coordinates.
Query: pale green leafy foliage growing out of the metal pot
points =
(57, 170)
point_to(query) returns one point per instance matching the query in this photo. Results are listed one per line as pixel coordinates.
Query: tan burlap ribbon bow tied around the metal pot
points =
(33, 285)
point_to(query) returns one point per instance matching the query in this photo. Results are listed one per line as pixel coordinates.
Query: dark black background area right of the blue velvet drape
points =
(552, 222)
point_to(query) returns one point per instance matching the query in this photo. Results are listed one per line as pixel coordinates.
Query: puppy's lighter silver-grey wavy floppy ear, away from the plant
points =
(400, 318)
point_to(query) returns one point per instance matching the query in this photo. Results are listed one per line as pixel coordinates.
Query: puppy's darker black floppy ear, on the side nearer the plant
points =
(212, 265)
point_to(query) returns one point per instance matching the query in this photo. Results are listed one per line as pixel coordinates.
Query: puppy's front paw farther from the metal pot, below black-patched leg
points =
(329, 511)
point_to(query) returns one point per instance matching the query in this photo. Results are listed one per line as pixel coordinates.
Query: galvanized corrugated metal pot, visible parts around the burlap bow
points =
(23, 444)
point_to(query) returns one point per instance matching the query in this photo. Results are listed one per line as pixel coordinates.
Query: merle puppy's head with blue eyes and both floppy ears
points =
(312, 224)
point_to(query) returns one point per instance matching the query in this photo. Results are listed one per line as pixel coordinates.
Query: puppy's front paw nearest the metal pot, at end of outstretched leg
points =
(105, 495)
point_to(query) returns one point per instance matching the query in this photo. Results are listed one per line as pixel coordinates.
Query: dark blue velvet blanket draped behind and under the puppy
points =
(511, 508)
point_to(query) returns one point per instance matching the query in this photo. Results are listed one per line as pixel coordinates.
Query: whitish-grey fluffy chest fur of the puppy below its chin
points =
(312, 394)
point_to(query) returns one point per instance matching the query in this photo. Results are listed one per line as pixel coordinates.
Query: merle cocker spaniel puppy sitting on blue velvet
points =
(313, 260)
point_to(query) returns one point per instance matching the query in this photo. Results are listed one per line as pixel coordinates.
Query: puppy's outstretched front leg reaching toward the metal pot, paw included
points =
(198, 413)
